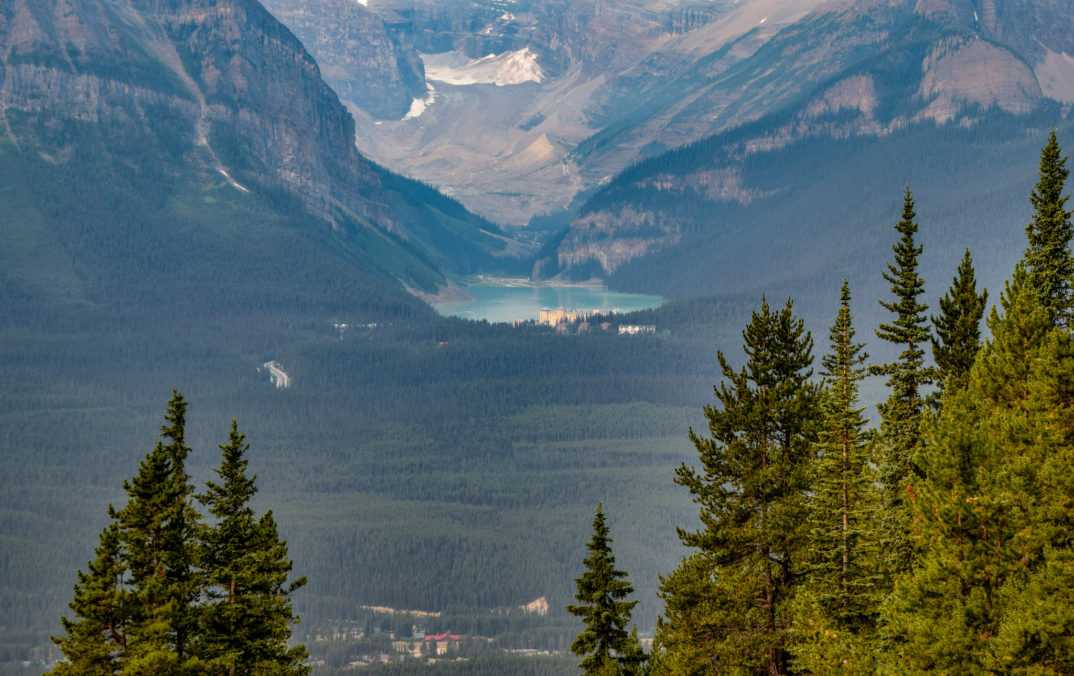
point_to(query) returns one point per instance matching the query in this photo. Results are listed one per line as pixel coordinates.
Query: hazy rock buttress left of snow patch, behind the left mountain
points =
(369, 62)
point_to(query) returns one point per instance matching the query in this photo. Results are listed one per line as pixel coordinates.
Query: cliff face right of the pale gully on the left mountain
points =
(260, 84)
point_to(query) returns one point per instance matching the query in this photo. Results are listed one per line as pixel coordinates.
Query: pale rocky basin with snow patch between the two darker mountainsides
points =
(501, 142)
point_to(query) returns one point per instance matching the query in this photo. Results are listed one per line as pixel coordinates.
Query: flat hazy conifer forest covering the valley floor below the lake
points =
(407, 449)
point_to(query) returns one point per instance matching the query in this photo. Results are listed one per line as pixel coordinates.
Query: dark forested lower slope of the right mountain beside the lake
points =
(717, 218)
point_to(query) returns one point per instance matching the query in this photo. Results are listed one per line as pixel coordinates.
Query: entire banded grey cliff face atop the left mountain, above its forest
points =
(226, 66)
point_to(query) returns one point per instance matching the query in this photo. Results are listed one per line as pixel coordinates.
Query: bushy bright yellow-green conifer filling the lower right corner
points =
(991, 592)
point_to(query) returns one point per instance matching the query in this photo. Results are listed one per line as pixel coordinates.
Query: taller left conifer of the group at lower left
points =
(136, 602)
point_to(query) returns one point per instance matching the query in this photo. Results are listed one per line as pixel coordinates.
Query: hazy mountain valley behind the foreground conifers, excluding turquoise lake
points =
(204, 195)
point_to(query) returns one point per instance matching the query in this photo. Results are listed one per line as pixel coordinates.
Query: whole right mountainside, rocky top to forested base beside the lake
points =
(874, 97)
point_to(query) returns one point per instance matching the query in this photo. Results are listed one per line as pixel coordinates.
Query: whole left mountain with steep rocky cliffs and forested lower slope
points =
(153, 110)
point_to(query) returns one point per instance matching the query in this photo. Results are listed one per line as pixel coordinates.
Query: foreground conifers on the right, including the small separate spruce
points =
(939, 542)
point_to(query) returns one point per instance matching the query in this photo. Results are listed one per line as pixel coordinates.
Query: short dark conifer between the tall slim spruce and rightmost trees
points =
(959, 328)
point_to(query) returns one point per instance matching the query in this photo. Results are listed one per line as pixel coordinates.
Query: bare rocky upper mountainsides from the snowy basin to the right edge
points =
(626, 80)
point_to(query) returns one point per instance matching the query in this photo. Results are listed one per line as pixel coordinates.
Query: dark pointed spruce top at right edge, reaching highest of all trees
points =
(1049, 258)
